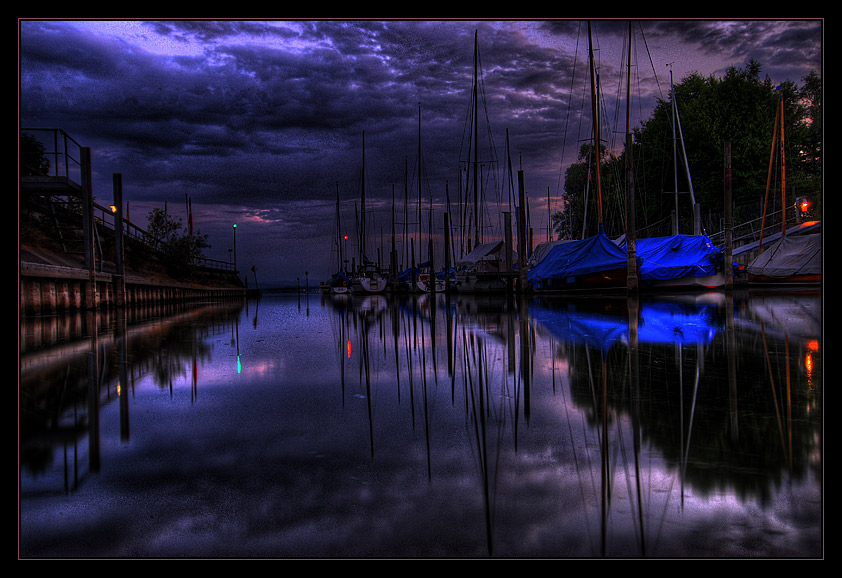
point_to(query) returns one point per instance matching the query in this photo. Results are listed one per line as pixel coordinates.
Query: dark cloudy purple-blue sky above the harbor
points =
(259, 122)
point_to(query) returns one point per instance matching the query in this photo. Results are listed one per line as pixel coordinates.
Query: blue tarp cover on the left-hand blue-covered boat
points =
(575, 258)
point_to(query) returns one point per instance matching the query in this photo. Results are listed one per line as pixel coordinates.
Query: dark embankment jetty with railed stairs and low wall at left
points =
(75, 254)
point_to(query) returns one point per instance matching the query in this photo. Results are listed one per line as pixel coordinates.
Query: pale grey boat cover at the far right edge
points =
(788, 257)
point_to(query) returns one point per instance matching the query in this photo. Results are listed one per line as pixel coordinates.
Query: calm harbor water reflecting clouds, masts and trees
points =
(306, 426)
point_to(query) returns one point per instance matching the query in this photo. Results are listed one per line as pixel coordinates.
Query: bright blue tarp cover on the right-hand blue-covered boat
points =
(677, 256)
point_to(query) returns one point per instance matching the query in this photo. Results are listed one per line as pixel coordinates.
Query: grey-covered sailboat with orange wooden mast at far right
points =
(792, 259)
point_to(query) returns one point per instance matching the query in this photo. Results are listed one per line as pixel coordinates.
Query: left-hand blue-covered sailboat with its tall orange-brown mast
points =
(596, 262)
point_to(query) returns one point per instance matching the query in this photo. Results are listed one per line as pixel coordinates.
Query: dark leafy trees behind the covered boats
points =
(739, 108)
